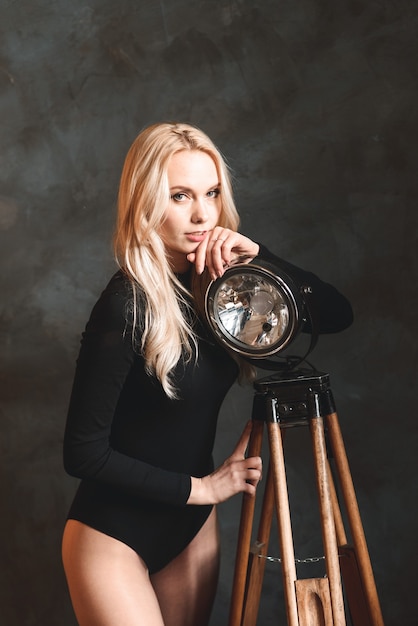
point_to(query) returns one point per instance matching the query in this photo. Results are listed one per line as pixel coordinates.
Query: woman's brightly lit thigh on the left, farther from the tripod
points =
(108, 583)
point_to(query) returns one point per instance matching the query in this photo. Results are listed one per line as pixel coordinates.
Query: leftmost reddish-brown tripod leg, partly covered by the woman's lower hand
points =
(244, 536)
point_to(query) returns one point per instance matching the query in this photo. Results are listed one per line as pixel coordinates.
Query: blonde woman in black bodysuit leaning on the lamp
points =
(141, 543)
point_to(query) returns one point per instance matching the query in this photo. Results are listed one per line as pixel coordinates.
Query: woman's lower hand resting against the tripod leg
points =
(237, 474)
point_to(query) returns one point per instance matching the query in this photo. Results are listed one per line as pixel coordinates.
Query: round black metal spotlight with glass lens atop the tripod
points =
(257, 310)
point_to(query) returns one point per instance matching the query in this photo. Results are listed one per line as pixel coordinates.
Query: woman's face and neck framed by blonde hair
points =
(194, 207)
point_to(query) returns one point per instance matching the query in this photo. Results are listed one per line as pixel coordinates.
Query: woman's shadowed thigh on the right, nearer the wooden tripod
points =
(186, 587)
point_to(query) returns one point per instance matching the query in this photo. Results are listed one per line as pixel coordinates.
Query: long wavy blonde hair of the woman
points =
(165, 335)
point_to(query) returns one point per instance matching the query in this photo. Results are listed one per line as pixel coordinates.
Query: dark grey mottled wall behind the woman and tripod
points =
(314, 104)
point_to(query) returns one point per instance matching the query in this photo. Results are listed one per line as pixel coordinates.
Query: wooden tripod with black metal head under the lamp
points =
(280, 401)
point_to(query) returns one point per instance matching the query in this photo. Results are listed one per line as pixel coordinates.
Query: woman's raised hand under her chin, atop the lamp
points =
(221, 248)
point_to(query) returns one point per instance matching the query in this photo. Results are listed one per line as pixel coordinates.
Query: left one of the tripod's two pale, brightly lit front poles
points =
(283, 521)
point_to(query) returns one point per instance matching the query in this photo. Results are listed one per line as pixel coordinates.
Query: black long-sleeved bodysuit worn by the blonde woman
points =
(135, 449)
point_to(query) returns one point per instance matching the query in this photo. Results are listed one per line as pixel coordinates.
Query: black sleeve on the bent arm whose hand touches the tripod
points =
(104, 366)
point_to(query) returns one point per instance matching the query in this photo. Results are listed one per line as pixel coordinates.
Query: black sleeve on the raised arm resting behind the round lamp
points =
(333, 309)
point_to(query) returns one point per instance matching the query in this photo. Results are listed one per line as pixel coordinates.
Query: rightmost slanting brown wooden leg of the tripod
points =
(354, 520)
